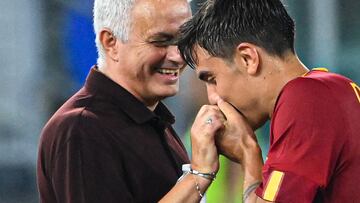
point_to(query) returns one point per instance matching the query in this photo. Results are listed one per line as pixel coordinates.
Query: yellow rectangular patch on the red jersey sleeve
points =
(273, 185)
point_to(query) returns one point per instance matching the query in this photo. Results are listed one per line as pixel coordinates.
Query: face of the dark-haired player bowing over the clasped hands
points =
(231, 82)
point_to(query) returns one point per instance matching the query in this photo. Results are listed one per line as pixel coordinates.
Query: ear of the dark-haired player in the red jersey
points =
(247, 56)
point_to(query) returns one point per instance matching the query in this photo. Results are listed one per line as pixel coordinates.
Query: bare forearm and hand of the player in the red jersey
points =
(238, 142)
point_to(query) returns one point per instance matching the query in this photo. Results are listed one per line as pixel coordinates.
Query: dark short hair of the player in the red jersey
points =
(220, 25)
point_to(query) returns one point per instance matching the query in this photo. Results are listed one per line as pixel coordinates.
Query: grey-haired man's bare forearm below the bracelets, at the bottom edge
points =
(189, 189)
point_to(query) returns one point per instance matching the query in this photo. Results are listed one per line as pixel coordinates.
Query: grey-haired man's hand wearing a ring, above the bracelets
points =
(207, 123)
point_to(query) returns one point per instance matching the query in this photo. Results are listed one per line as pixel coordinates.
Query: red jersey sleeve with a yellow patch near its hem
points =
(305, 143)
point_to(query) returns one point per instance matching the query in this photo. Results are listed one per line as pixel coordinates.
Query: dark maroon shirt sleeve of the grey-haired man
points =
(88, 169)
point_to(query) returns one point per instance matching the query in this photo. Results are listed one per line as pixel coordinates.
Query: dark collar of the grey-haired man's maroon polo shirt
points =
(98, 83)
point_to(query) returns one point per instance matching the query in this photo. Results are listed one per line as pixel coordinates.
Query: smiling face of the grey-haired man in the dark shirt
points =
(149, 63)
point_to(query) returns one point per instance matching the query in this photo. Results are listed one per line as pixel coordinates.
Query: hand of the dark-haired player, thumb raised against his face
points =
(237, 139)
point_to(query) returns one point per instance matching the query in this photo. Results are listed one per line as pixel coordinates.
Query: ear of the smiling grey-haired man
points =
(108, 41)
